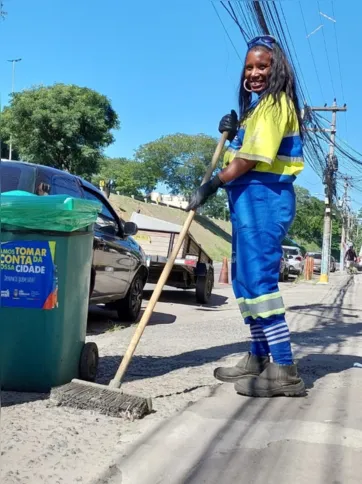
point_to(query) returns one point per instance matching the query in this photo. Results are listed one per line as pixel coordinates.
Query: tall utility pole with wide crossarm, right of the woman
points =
(329, 181)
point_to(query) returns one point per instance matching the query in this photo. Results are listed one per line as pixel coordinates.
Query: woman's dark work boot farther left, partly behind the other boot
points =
(249, 365)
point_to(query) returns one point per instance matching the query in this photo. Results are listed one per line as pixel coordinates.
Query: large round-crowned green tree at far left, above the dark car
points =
(64, 126)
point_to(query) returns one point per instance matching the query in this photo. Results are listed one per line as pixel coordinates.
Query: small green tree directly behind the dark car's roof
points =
(130, 177)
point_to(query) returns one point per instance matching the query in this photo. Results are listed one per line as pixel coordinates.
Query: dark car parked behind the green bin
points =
(119, 268)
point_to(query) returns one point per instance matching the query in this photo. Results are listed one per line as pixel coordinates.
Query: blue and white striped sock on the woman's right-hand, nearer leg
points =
(278, 337)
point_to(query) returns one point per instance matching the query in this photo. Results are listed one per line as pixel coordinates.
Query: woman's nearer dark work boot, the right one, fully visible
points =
(275, 380)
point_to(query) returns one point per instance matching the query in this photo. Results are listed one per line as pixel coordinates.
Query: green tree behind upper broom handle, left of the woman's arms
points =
(178, 160)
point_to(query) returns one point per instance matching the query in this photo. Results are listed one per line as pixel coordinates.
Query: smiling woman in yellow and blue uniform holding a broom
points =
(262, 161)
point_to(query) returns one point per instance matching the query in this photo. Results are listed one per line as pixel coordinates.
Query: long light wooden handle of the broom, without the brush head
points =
(117, 380)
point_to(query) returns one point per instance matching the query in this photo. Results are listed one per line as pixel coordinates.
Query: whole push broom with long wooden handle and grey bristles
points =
(111, 400)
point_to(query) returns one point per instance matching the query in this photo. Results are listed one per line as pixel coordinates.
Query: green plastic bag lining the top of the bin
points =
(60, 213)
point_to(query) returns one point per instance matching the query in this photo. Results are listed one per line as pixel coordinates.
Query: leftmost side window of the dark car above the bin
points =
(15, 177)
